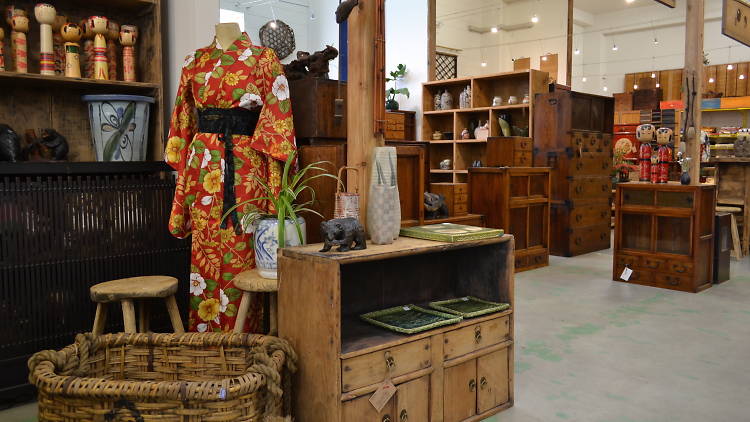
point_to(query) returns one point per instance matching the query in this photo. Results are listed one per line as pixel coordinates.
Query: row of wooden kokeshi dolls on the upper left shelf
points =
(59, 48)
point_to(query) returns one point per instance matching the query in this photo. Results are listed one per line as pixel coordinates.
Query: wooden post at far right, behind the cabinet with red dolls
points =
(693, 78)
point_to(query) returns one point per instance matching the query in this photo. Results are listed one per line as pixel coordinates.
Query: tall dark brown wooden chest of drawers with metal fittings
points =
(573, 136)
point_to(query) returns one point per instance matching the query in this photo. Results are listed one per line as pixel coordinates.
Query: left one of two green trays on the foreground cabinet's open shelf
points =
(409, 319)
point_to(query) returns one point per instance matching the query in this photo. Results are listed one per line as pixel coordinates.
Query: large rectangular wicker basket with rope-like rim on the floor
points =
(165, 377)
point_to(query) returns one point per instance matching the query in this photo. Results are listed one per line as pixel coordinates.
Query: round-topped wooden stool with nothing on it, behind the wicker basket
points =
(125, 291)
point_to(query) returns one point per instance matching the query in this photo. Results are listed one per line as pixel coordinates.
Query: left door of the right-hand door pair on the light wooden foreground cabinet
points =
(460, 392)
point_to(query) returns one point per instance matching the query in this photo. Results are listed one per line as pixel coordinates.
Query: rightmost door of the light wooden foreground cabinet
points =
(492, 371)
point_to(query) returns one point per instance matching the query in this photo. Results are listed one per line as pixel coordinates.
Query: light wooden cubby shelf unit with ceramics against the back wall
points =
(462, 152)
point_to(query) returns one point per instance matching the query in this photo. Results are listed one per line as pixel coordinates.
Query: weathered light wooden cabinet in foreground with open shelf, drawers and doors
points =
(460, 372)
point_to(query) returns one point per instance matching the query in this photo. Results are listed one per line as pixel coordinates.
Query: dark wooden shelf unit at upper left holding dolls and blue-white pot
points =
(34, 101)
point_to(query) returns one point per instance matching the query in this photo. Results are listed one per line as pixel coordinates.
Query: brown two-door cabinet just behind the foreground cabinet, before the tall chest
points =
(517, 200)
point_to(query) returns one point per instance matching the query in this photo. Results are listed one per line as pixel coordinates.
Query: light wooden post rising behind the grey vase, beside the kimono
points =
(361, 91)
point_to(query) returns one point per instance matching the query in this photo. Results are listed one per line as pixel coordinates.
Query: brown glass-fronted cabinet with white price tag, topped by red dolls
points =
(664, 233)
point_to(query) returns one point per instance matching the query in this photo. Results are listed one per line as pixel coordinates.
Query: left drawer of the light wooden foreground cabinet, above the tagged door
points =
(372, 368)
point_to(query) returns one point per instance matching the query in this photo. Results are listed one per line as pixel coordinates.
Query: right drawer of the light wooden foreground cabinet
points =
(474, 337)
